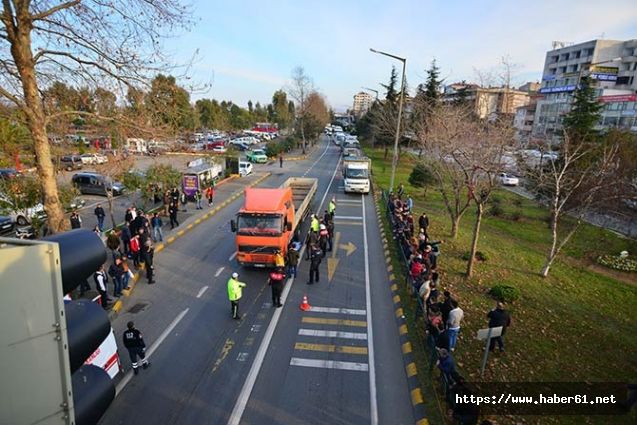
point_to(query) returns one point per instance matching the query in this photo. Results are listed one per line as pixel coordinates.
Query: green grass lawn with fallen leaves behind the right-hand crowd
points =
(578, 324)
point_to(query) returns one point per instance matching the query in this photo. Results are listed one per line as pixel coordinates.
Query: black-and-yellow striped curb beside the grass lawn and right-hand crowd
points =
(417, 400)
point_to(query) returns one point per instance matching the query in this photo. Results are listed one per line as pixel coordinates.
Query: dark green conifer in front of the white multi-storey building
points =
(585, 112)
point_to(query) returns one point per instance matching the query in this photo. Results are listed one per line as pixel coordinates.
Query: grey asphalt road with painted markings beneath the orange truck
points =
(340, 363)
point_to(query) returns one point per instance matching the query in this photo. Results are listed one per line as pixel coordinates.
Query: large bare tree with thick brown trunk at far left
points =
(83, 43)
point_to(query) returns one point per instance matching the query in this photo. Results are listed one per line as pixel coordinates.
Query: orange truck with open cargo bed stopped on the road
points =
(270, 218)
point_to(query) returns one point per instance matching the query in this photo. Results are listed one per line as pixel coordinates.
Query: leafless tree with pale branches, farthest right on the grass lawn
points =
(572, 184)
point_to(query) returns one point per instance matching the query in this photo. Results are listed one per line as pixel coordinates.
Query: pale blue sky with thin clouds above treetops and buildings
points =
(245, 50)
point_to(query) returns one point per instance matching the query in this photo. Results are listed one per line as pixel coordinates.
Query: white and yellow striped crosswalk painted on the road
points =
(332, 338)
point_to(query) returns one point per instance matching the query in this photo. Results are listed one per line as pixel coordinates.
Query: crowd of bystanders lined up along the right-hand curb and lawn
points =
(440, 308)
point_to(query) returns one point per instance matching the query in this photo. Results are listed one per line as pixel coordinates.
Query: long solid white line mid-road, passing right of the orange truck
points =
(248, 385)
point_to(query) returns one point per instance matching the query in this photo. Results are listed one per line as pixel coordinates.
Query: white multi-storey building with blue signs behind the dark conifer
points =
(611, 65)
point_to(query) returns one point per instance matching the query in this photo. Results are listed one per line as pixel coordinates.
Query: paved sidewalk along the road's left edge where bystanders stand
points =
(225, 193)
